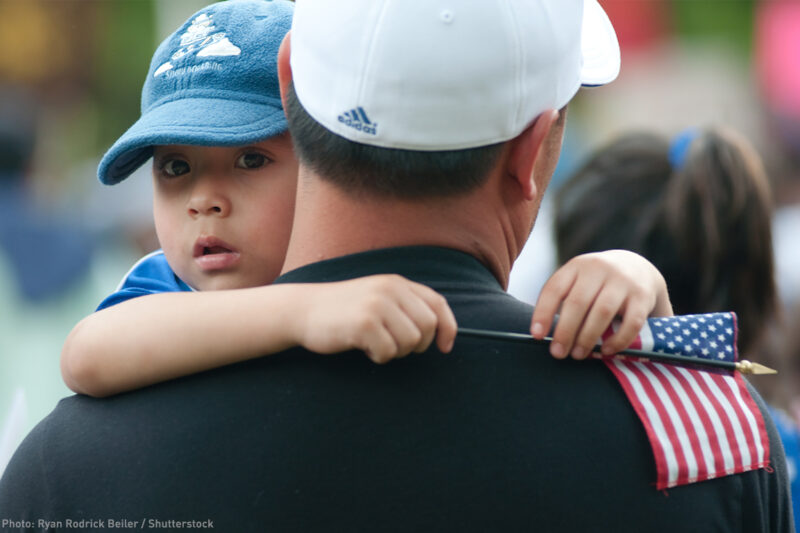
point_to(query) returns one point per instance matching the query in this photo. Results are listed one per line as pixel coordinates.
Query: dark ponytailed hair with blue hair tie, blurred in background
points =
(703, 219)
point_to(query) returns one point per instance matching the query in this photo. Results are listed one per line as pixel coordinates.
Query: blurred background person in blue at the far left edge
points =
(45, 267)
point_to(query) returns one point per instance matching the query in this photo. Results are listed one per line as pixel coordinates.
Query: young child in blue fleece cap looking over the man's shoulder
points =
(224, 176)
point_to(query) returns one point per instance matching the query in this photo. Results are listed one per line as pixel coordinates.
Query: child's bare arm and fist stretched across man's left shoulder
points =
(154, 338)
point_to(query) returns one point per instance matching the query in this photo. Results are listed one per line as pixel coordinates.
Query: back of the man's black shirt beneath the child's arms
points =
(480, 439)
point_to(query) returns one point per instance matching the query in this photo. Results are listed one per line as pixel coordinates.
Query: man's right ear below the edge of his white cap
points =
(525, 150)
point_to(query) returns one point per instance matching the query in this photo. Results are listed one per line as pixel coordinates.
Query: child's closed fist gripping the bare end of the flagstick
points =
(386, 316)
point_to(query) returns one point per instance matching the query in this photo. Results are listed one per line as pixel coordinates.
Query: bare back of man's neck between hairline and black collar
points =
(329, 223)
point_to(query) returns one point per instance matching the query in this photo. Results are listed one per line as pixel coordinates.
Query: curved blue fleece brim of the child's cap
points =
(193, 121)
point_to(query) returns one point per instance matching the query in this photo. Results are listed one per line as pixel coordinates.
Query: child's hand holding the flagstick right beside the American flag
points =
(593, 289)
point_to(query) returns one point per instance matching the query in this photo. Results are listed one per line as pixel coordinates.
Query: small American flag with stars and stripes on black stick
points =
(701, 424)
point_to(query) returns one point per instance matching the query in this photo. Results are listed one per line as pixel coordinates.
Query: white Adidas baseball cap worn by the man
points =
(445, 74)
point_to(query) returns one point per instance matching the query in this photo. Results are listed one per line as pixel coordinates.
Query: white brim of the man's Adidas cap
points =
(599, 45)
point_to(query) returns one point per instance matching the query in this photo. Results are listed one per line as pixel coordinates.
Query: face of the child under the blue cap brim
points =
(223, 215)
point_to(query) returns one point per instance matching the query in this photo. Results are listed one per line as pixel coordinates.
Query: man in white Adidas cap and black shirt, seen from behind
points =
(427, 132)
